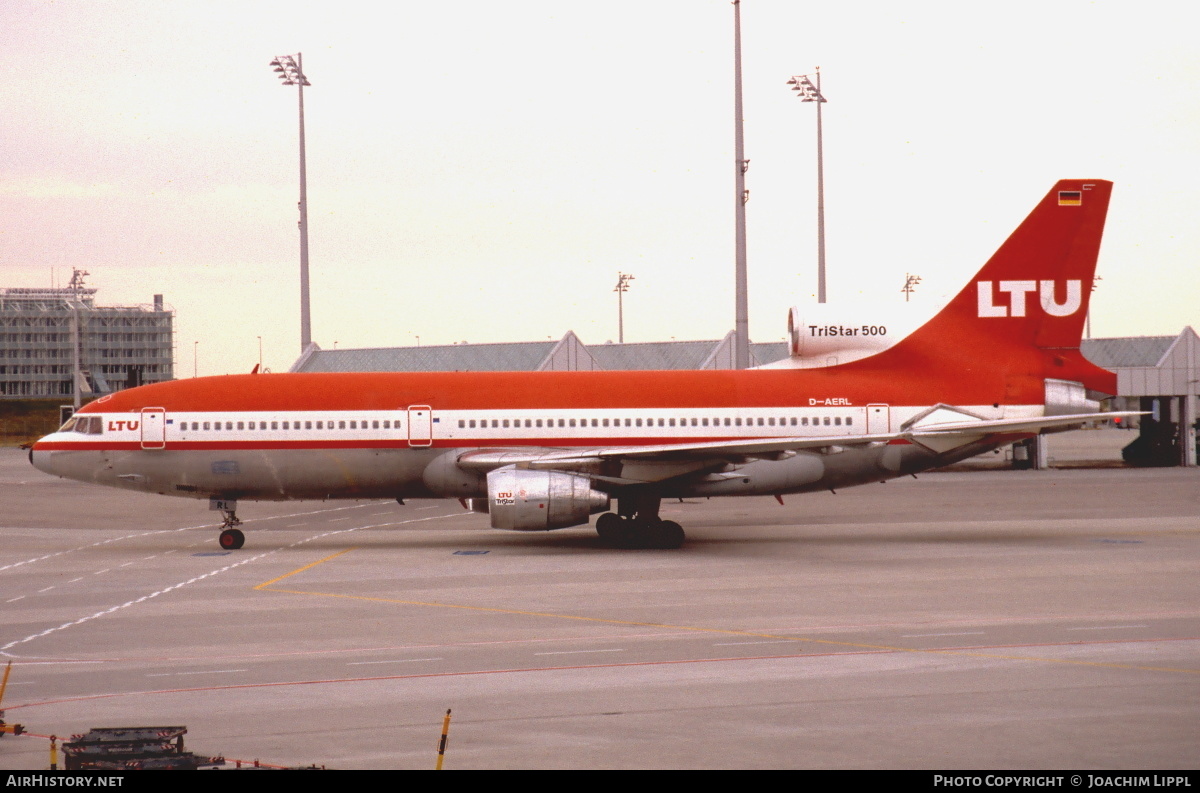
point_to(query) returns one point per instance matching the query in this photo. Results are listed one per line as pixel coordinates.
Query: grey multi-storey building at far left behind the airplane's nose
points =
(56, 340)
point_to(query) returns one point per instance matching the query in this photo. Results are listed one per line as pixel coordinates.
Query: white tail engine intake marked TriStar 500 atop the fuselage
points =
(845, 334)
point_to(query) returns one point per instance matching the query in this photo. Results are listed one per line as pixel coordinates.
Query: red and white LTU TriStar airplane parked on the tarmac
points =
(548, 450)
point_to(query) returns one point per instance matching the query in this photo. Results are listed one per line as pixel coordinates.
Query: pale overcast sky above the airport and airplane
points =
(483, 171)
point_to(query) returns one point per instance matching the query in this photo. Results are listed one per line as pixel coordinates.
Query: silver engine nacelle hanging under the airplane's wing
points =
(537, 501)
